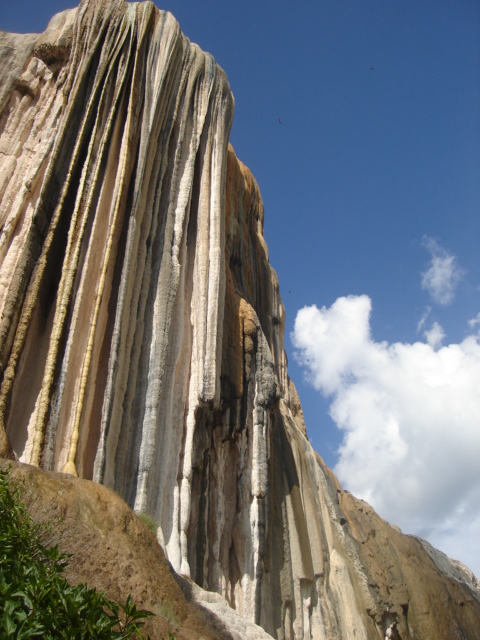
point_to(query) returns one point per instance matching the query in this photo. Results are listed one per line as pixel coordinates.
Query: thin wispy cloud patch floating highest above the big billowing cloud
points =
(443, 275)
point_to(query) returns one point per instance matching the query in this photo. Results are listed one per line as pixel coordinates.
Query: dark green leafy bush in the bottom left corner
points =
(36, 601)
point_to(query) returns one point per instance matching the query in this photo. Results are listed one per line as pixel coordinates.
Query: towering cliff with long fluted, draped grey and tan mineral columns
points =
(141, 335)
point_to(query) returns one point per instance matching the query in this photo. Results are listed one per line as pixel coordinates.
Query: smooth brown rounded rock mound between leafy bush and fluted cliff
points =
(113, 551)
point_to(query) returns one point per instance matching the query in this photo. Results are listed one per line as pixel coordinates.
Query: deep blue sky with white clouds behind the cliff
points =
(360, 121)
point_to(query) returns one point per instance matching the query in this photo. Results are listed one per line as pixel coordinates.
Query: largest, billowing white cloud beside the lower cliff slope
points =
(410, 414)
